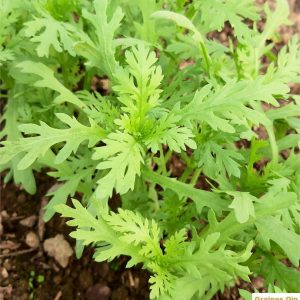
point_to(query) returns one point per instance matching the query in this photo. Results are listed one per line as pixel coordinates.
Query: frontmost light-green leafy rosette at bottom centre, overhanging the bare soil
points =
(129, 233)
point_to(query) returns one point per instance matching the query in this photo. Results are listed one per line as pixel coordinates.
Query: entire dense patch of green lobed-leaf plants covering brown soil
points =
(175, 94)
